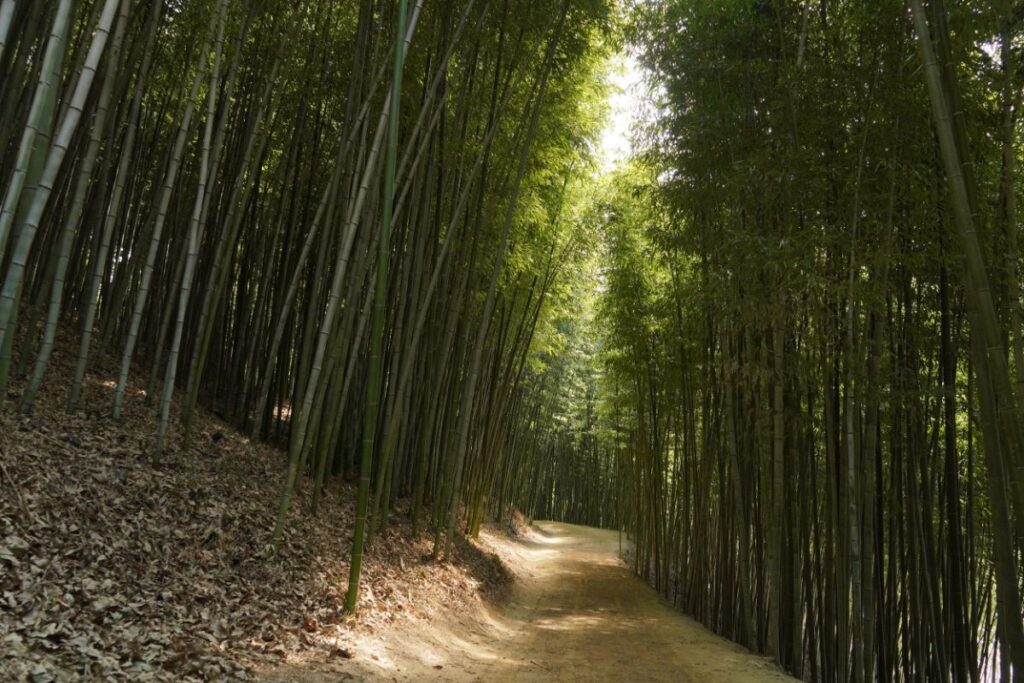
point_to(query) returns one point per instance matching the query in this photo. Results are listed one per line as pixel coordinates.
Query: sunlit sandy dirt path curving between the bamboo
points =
(577, 614)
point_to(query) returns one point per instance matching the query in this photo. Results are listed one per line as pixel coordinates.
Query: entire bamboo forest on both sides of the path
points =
(782, 350)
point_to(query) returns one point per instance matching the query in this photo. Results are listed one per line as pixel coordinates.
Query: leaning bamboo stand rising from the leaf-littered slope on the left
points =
(335, 225)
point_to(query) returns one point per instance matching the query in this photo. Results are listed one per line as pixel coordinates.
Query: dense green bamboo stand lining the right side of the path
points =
(801, 390)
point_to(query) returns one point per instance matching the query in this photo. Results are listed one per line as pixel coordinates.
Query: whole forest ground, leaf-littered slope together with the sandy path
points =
(113, 568)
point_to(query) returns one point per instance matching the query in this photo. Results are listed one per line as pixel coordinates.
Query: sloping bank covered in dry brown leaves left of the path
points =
(115, 569)
